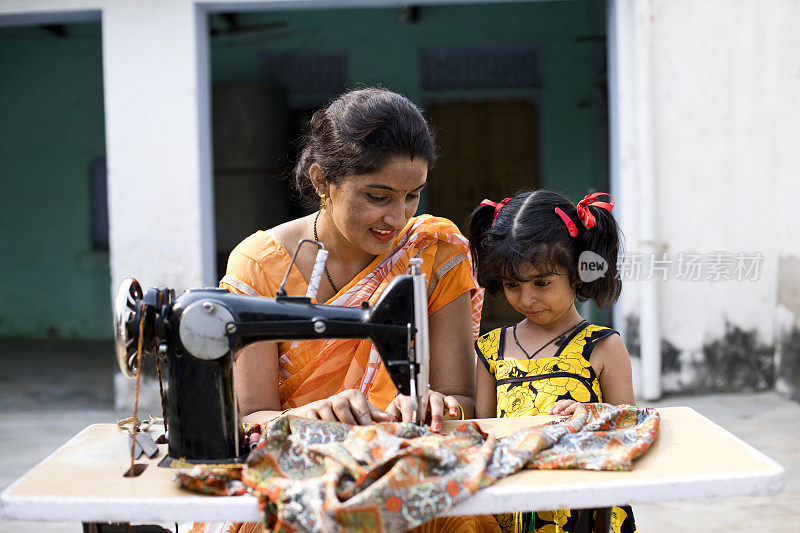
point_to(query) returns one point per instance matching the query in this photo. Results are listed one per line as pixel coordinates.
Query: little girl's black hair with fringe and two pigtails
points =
(528, 232)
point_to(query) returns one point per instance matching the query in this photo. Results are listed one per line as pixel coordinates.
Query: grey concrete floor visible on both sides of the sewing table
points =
(50, 391)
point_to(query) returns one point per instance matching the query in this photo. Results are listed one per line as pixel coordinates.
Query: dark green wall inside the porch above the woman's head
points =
(384, 50)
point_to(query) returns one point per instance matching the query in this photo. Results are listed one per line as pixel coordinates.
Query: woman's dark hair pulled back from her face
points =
(358, 132)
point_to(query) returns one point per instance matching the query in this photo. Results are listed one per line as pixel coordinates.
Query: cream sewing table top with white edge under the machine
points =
(692, 458)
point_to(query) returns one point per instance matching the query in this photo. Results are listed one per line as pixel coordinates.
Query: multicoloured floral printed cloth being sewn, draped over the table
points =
(311, 475)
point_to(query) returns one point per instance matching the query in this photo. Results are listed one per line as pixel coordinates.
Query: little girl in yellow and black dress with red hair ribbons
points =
(529, 247)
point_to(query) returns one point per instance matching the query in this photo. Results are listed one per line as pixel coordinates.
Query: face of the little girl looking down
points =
(545, 299)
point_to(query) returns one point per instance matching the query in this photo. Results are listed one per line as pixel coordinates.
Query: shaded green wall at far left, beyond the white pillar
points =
(51, 128)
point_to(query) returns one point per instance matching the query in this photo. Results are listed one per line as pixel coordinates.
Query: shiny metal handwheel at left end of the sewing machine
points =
(126, 327)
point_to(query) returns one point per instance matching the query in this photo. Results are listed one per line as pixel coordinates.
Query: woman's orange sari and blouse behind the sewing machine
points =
(315, 369)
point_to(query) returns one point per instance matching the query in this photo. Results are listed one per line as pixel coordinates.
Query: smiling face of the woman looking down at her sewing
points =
(369, 210)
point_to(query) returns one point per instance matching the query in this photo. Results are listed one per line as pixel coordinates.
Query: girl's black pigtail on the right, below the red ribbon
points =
(604, 240)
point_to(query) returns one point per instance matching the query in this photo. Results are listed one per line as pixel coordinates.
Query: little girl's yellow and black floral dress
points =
(530, 387)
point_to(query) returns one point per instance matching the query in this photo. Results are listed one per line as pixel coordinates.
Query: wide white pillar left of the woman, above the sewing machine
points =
(157, 111)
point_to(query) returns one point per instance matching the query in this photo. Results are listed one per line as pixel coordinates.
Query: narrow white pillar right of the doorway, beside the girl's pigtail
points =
(633, 175)
